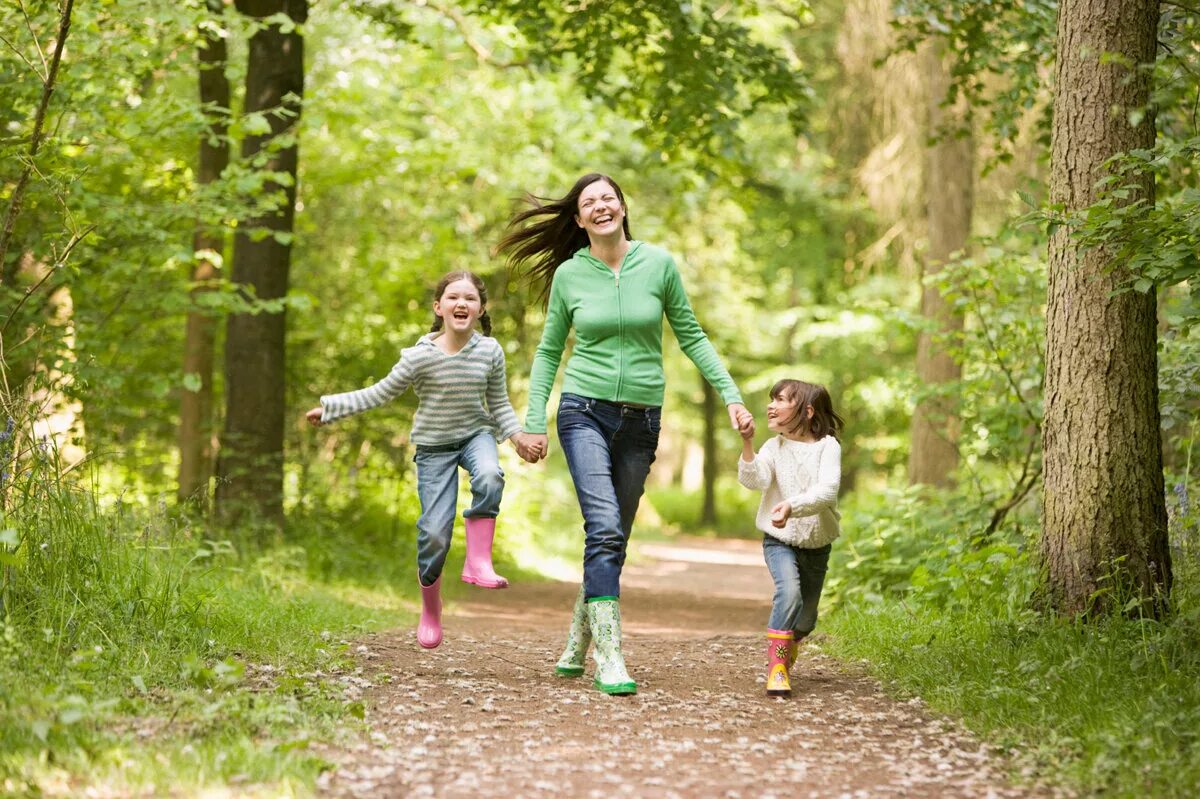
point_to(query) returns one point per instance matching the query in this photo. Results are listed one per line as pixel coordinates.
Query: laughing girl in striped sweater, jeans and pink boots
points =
(464, 410)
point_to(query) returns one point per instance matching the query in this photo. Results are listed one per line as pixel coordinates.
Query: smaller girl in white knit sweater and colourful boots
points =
(800, 473)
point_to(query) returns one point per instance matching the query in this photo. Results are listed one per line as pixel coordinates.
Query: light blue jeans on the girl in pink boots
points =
(437, 486)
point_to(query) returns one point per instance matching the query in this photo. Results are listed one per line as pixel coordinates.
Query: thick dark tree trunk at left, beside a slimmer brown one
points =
(251, 464)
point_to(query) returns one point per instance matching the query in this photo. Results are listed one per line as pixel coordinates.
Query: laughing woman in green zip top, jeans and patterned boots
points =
(614, 292)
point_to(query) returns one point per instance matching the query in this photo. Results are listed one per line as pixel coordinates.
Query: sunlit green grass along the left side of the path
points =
(140, 656)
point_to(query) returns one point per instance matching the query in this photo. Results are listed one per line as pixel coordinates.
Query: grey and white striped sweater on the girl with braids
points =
(459, 395)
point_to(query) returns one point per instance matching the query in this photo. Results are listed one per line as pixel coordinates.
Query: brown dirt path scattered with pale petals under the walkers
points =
(484, 716)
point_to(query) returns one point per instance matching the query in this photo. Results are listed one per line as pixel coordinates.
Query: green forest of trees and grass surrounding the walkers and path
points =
(217, 213)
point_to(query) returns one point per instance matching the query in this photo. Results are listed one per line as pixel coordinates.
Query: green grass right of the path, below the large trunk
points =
(1111, 708)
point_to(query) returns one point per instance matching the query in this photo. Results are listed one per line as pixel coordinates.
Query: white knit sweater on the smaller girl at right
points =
(808, 477)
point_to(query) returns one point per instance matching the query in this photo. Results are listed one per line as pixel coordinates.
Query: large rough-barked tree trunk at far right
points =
(1106, 518)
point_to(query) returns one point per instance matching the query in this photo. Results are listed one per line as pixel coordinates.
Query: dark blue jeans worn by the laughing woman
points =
(610, 449)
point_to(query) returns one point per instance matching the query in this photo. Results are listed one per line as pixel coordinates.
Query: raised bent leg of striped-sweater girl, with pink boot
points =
(483, 464)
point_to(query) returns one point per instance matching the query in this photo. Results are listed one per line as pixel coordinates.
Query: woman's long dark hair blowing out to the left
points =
(541, 248)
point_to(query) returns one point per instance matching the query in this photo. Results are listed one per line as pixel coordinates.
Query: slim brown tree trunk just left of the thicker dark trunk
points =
(196, 404)
